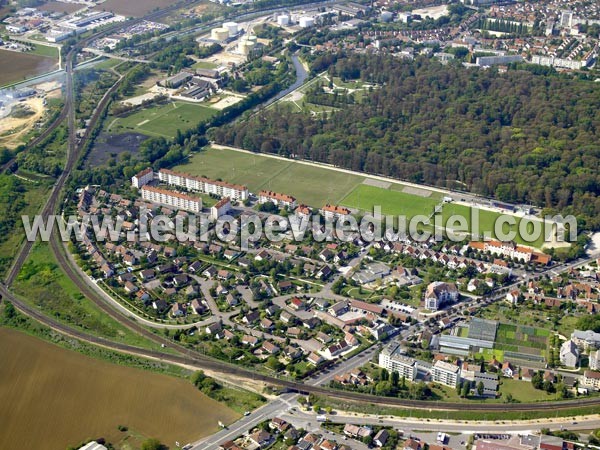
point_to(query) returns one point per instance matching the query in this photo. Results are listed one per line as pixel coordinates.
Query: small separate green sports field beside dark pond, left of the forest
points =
(162, 120)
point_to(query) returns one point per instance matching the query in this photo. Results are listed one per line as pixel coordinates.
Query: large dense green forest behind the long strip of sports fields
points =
(518, 136)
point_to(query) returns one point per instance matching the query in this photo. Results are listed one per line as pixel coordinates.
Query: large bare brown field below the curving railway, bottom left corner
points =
(54, 398)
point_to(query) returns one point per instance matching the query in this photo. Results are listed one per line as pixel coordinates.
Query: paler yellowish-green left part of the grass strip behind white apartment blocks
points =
(313, 186)
